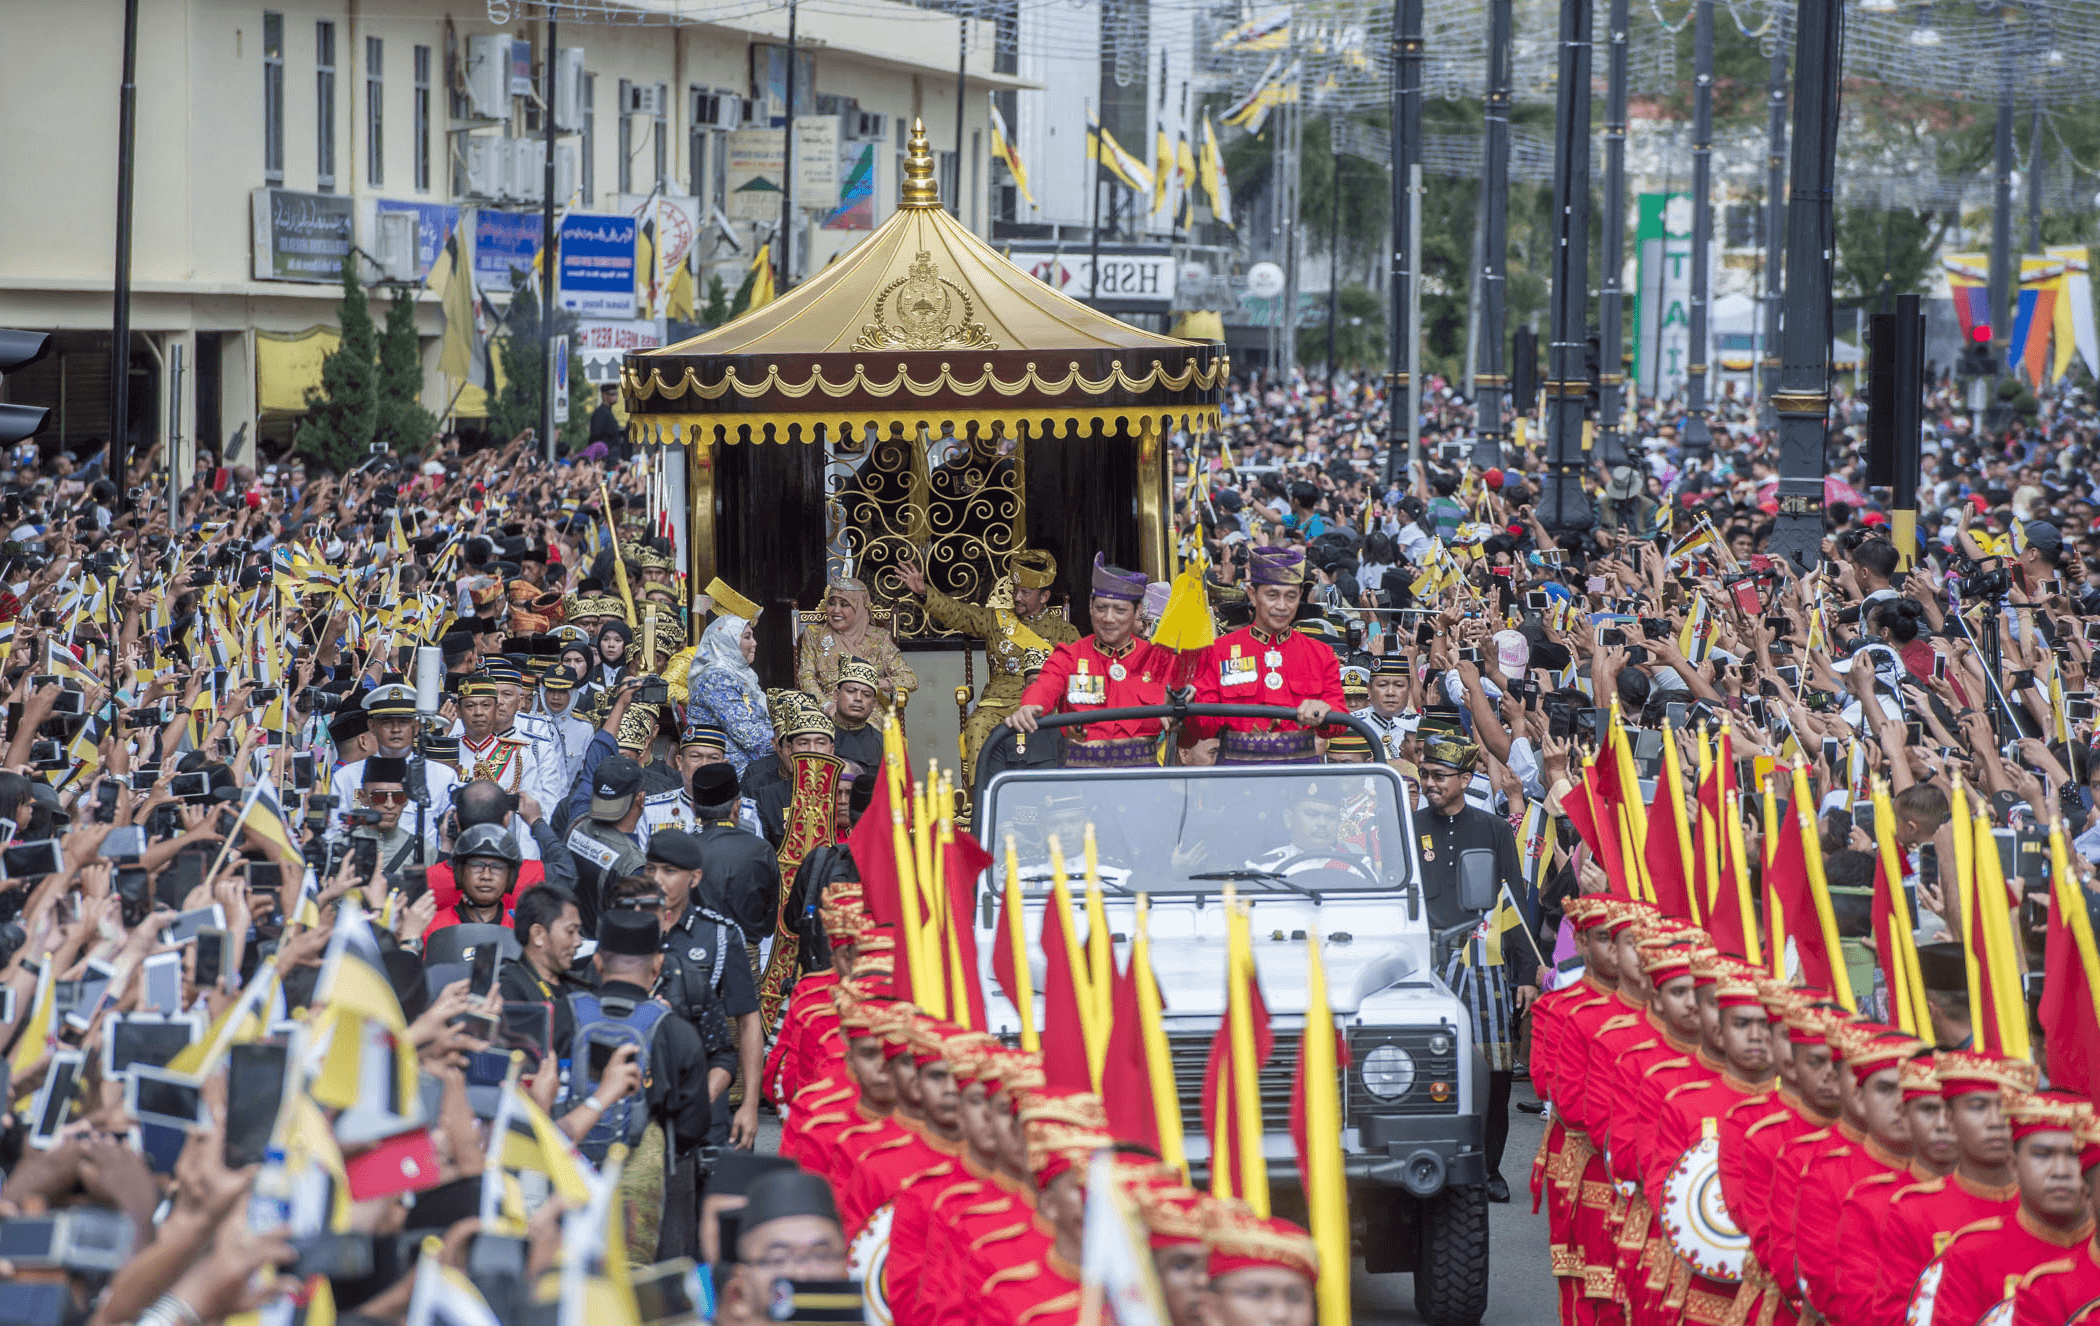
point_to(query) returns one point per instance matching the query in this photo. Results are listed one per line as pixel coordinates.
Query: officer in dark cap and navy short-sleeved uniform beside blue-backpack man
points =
(709, 976)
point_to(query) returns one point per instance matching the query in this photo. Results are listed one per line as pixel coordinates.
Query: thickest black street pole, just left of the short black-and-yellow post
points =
(1803, 396)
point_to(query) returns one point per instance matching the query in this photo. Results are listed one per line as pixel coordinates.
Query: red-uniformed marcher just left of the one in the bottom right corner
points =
(1925, 1216)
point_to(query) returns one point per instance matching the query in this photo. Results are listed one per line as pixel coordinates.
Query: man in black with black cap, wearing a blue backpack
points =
(631, 964)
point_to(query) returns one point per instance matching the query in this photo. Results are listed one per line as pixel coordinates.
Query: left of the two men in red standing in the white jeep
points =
(1110, 669)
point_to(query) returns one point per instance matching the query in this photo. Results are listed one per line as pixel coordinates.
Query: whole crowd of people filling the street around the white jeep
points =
(413, 894)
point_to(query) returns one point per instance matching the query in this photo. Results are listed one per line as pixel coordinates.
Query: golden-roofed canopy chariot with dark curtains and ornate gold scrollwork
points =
(921, 398)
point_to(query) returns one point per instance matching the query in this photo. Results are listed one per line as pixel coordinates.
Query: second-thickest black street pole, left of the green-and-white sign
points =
(1563, 503)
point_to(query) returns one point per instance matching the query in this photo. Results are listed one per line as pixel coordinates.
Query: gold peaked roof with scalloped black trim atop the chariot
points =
(921, 323)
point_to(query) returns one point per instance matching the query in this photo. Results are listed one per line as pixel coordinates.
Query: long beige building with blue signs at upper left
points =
(276, 136)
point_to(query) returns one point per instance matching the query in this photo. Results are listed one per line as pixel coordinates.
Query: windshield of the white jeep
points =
(1284, 829)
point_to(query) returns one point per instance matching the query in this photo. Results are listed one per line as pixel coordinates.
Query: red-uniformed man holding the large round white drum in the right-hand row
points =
(1689, 1125)
